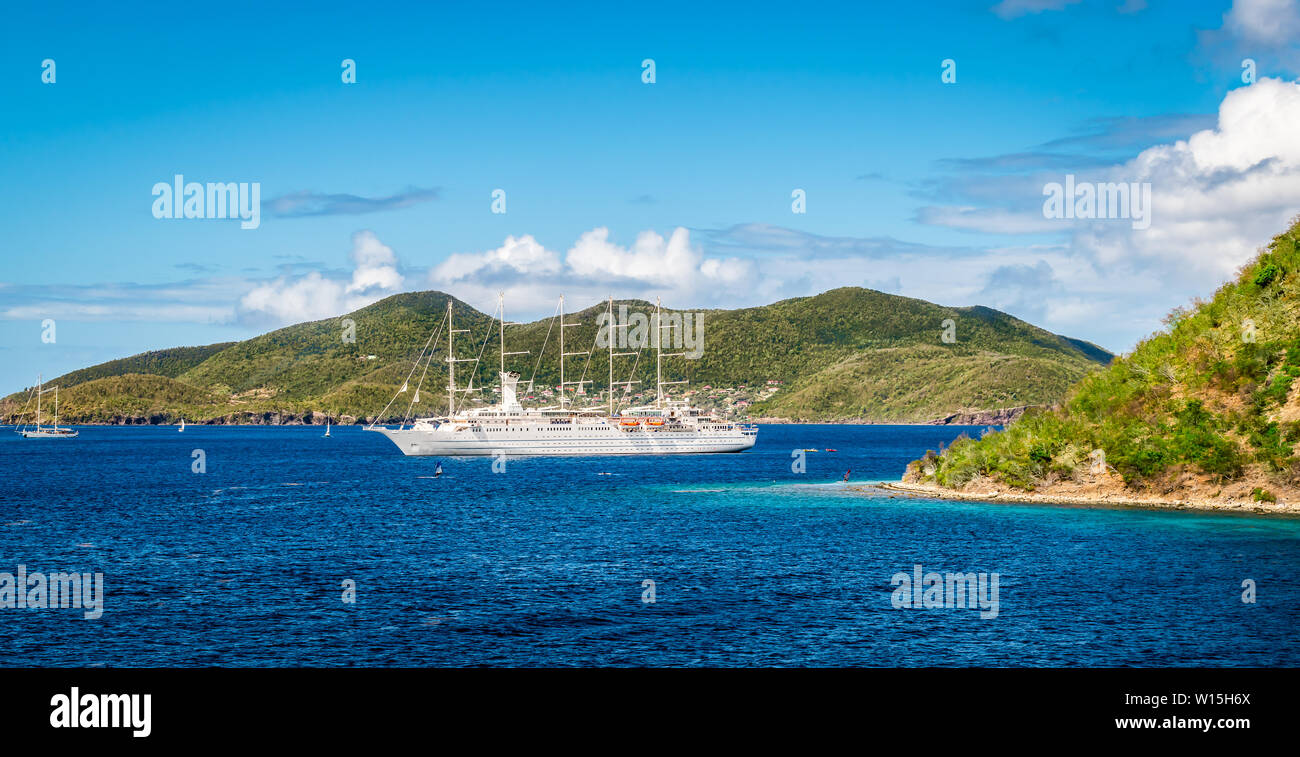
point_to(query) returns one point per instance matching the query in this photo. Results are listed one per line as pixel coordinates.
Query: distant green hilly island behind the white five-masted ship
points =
(848, 354)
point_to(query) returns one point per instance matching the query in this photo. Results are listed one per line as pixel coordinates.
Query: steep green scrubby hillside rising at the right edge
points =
(1210, 406)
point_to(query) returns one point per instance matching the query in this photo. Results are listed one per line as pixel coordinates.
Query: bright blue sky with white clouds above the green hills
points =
(913, 185)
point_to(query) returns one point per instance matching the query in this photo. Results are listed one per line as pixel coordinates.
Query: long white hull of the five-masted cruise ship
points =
(575, 444)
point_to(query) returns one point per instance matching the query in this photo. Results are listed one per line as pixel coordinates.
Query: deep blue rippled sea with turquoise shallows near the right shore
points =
(547, 563)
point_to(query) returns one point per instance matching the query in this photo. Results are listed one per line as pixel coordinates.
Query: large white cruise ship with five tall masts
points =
(509, 429)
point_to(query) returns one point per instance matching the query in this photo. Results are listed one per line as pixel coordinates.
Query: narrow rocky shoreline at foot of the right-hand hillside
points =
(1099, 500)
